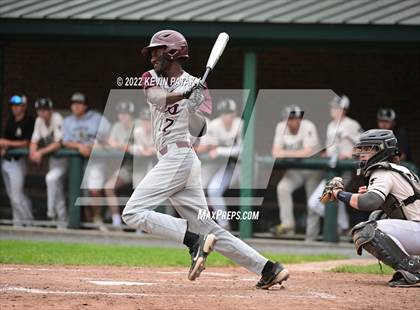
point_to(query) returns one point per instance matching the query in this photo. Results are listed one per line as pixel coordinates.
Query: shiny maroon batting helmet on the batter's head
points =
(175, 44)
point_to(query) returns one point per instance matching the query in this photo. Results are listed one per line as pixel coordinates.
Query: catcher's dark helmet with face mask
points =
(382, 141)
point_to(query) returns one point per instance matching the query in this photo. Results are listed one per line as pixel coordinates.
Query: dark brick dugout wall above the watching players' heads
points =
(371, 77)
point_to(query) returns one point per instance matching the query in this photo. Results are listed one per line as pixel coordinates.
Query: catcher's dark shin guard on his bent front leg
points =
(366, 235)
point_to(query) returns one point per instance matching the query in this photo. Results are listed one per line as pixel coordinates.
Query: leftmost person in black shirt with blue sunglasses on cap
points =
(17, 134)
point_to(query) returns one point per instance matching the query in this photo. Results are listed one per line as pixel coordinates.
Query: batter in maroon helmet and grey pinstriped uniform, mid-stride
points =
(177, 175)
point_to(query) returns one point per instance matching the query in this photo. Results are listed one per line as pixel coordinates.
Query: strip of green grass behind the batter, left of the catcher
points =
(57, 253)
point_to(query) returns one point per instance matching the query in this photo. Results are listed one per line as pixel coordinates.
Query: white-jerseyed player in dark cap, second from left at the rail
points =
(46, 139)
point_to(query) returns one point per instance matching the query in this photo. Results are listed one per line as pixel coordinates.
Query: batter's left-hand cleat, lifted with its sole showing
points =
(201, 250)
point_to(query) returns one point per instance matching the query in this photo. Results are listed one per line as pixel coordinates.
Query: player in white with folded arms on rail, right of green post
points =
(295, 137)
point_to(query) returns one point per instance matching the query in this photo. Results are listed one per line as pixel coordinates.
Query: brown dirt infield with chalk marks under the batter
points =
(74, 287)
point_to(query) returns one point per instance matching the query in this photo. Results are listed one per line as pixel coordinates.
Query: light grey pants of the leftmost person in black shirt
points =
(13, 172)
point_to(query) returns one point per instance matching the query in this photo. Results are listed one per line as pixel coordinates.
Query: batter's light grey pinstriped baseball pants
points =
(177, 177)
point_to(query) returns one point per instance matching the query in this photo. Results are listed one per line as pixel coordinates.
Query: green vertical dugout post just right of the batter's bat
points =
(247, 163)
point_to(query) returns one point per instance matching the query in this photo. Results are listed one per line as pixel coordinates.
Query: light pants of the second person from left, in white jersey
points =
(56, 204)
